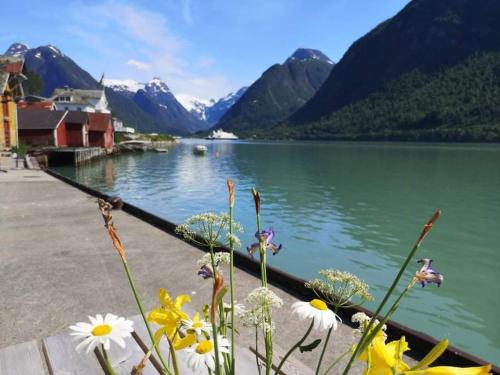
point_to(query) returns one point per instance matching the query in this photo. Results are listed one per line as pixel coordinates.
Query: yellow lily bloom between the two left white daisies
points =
(169, 317)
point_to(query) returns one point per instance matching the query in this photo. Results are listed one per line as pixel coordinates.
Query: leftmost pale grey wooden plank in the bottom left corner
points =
(23, 359)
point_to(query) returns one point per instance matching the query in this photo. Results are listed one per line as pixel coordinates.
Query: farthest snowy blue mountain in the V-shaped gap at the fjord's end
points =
(210, 111)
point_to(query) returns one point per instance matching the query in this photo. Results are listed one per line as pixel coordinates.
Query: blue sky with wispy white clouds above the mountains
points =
(200, 48)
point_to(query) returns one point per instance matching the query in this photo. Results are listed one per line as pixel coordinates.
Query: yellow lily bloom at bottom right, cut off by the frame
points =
(387, 359)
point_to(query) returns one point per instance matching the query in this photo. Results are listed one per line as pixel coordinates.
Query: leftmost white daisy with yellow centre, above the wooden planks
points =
(101, 331)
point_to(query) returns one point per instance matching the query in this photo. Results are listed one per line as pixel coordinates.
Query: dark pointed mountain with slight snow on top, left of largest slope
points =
(279, 92)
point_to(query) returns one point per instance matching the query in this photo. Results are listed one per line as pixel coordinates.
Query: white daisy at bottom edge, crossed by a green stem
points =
(202, 355)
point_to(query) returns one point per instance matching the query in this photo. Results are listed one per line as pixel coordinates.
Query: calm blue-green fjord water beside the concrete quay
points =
(351, 206)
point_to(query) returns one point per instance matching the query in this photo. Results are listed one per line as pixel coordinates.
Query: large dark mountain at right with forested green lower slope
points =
(430, 72)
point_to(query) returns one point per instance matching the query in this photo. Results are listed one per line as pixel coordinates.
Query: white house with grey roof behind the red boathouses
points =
(68, 99)
